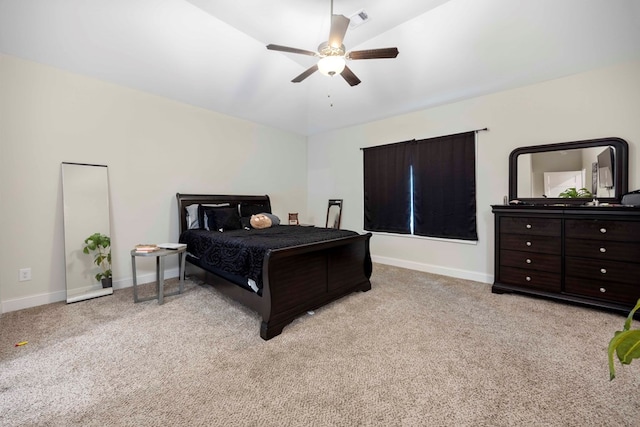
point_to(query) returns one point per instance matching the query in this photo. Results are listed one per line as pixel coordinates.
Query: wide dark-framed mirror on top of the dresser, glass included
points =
(570, 172)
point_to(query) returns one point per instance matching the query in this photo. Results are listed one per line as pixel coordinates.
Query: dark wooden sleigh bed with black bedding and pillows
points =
(280, 275)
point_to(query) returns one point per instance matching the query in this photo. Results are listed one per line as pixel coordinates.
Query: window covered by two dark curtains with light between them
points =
(422, 187)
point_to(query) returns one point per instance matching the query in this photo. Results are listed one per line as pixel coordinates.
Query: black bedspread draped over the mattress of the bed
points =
(241, 252)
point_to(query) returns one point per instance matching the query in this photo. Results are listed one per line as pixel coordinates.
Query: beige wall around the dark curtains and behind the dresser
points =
(595, 104)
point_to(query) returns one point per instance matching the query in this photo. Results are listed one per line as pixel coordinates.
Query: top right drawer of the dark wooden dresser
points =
(624, 231)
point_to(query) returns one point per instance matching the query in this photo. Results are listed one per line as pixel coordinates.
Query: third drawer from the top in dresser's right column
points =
(602, 270)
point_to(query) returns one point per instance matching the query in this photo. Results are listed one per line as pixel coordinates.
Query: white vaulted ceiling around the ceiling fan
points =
(211, 53)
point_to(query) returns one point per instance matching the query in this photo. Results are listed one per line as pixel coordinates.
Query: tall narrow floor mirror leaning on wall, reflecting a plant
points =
(85, 193)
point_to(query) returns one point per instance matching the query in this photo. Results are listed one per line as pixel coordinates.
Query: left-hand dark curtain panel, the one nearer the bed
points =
(387, 193)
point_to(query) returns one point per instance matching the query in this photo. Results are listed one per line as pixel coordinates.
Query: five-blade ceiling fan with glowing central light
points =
(333, 55)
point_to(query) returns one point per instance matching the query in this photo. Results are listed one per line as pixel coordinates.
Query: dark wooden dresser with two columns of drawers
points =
(582, 254)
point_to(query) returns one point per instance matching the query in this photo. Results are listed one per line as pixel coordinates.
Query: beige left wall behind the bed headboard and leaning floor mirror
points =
(154, 148)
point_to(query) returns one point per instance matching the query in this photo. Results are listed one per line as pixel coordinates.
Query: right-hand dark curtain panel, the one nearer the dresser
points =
(445, 187)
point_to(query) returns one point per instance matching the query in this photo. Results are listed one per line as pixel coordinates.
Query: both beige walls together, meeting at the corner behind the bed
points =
(48, 116)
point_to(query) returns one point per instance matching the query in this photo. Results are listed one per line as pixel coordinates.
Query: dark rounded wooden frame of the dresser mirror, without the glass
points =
(621, 166)
